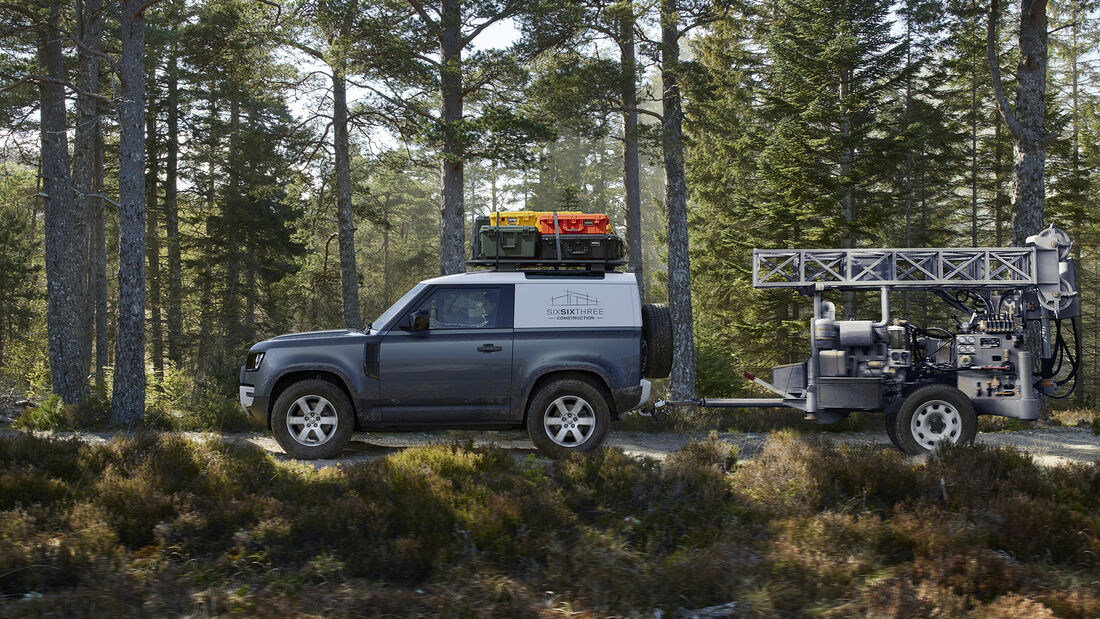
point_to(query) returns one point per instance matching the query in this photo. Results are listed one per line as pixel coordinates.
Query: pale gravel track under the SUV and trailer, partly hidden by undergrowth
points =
(1049, 446)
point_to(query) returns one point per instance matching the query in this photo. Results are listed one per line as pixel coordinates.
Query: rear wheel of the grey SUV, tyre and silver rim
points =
(568, 416)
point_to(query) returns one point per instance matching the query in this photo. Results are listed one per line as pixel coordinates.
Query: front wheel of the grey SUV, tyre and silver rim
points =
(313, 392)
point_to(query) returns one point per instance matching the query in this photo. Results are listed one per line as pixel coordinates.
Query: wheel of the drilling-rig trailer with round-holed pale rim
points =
(933, 415)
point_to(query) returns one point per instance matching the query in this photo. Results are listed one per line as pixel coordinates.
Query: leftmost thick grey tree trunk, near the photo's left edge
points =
(65, 274)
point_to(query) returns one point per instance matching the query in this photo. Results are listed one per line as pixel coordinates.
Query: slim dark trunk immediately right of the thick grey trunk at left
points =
(153, 238)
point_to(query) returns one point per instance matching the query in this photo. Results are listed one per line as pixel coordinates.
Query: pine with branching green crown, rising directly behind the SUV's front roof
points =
(433, 54)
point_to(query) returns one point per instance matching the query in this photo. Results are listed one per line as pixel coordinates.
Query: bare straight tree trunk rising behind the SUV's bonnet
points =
(349, 277)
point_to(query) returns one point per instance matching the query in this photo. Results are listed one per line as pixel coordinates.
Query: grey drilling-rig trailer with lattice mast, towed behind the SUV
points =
(931, 383)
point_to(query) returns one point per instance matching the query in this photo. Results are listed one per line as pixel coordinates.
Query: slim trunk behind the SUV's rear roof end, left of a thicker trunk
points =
(632, 183)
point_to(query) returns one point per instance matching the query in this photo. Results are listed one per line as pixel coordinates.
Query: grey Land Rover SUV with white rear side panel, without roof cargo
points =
(559, 353)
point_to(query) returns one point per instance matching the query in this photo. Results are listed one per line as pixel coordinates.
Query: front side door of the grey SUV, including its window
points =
(449, 359)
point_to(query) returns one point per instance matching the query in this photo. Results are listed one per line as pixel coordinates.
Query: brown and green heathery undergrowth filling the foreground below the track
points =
(162, 526)
